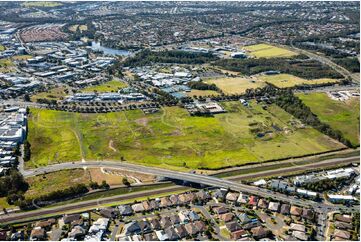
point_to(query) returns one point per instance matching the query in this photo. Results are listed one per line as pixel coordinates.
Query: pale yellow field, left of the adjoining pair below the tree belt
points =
(235, 85)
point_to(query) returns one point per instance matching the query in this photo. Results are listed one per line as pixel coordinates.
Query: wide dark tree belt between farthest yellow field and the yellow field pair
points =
(298, 66)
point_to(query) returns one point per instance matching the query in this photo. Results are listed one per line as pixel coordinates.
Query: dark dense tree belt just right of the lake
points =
(148, 57)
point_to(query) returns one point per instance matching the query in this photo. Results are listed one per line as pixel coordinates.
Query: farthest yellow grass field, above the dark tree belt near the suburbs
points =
(268, 51)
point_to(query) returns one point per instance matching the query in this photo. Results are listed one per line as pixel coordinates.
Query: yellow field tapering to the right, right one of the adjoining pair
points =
(287, 80)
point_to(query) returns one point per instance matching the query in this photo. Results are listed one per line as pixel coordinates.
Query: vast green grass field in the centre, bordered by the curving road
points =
(171, 138)
